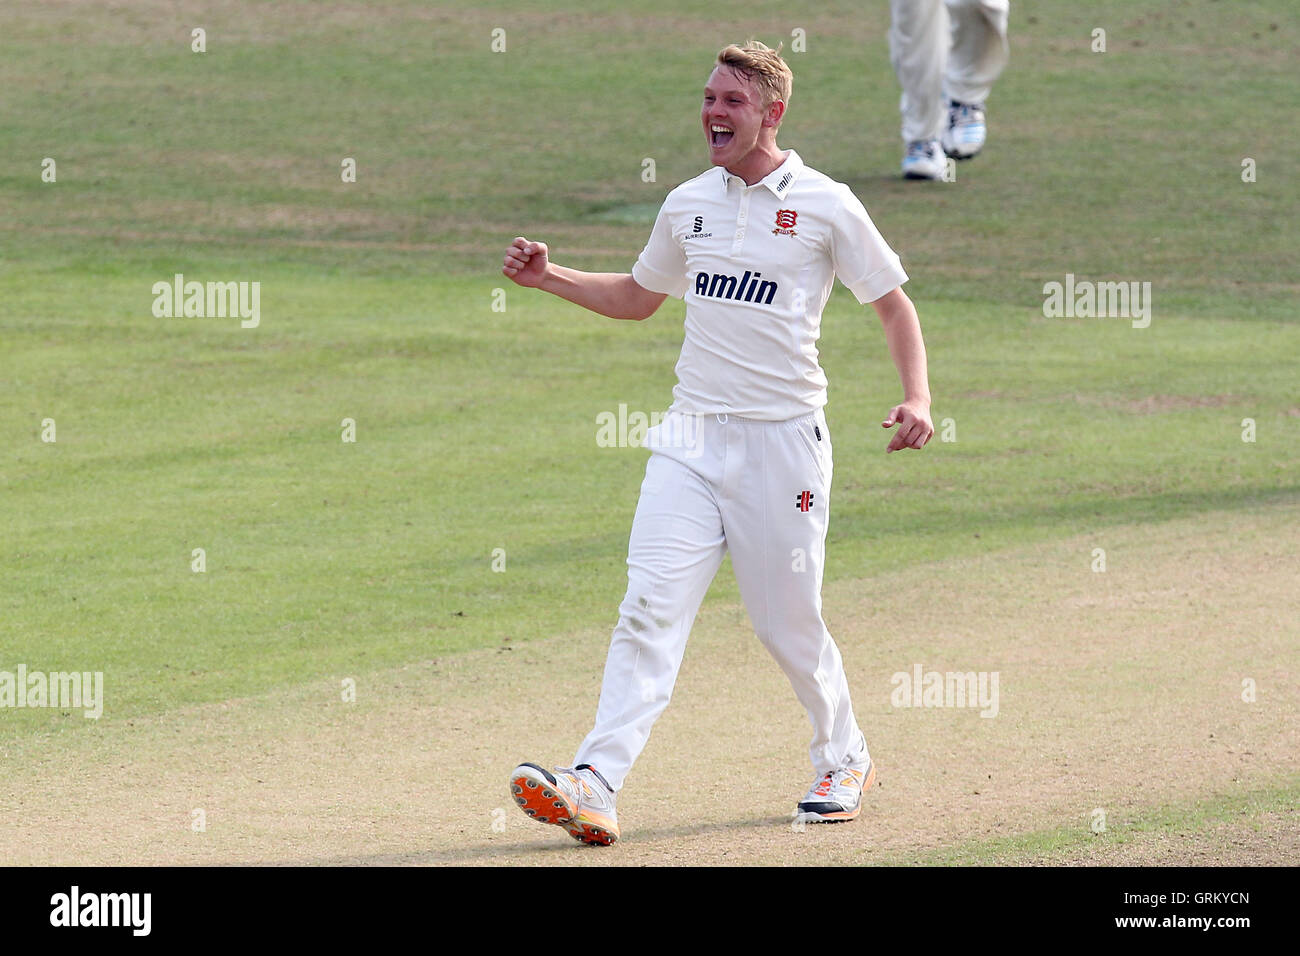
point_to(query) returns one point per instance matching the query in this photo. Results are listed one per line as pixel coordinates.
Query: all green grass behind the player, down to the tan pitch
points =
(476, 430)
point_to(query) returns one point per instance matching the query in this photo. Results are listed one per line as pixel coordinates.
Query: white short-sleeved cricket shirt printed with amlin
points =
(756, 266)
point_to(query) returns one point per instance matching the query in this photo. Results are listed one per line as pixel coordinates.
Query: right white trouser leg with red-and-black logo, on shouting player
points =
(777, 538)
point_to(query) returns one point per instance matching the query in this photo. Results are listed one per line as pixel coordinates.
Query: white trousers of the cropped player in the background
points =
(944, 50)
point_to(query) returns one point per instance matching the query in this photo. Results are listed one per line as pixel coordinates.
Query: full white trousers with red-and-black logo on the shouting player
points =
(760, 490)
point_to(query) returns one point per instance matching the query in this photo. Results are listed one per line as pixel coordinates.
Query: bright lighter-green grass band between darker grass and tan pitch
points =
(476, 430)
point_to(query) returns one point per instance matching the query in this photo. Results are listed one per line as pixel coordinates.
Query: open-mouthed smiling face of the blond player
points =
(740, 132)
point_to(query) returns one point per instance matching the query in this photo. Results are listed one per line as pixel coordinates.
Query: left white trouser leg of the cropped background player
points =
(918, 50)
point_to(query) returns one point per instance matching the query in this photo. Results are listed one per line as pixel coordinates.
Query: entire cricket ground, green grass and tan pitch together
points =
(374, 561)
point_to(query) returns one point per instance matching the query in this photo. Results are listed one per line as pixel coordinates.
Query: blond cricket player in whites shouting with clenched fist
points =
(742, 462)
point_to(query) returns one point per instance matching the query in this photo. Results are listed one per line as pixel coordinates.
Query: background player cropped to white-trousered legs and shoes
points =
(947, 55)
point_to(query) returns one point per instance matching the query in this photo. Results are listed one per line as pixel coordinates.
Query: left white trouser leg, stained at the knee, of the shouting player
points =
(674, 553)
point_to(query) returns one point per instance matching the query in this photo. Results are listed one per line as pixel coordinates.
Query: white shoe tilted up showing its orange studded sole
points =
(578, 799)
